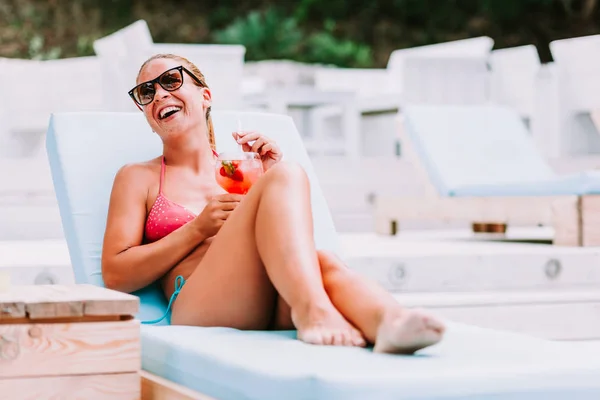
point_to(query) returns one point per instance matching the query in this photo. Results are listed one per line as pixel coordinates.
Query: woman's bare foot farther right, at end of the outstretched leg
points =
(407, 331)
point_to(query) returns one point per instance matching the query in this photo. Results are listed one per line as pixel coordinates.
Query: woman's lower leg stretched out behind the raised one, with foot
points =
(381, 319)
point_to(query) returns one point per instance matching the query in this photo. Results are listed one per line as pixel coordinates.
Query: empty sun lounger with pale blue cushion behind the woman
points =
(483, 166)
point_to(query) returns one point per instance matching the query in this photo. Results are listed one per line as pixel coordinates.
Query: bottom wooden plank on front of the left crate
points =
(89, 387)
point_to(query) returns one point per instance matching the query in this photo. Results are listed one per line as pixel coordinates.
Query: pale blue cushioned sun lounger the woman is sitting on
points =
(86, 150)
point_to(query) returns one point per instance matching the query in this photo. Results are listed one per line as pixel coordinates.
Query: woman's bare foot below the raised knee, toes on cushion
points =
(326, 326)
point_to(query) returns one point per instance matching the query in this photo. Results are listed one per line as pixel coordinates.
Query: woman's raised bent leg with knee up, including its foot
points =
(266, 247)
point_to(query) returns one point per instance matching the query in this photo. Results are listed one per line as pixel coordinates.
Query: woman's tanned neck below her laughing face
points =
(190, 150)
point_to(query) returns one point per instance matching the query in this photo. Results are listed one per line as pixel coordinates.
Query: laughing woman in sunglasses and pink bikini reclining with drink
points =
(248, 262)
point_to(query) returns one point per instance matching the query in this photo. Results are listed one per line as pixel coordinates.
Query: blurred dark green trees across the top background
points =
(351, 33)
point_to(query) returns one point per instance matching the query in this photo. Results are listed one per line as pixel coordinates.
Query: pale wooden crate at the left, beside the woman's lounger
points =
(69, 342)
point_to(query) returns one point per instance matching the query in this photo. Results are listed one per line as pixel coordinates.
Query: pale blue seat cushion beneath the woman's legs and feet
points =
(471, 363)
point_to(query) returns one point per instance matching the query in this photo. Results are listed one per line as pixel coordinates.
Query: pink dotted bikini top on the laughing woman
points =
(165, 216)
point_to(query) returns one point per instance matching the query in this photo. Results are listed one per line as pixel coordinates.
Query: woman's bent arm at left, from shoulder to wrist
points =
(127, 264)
